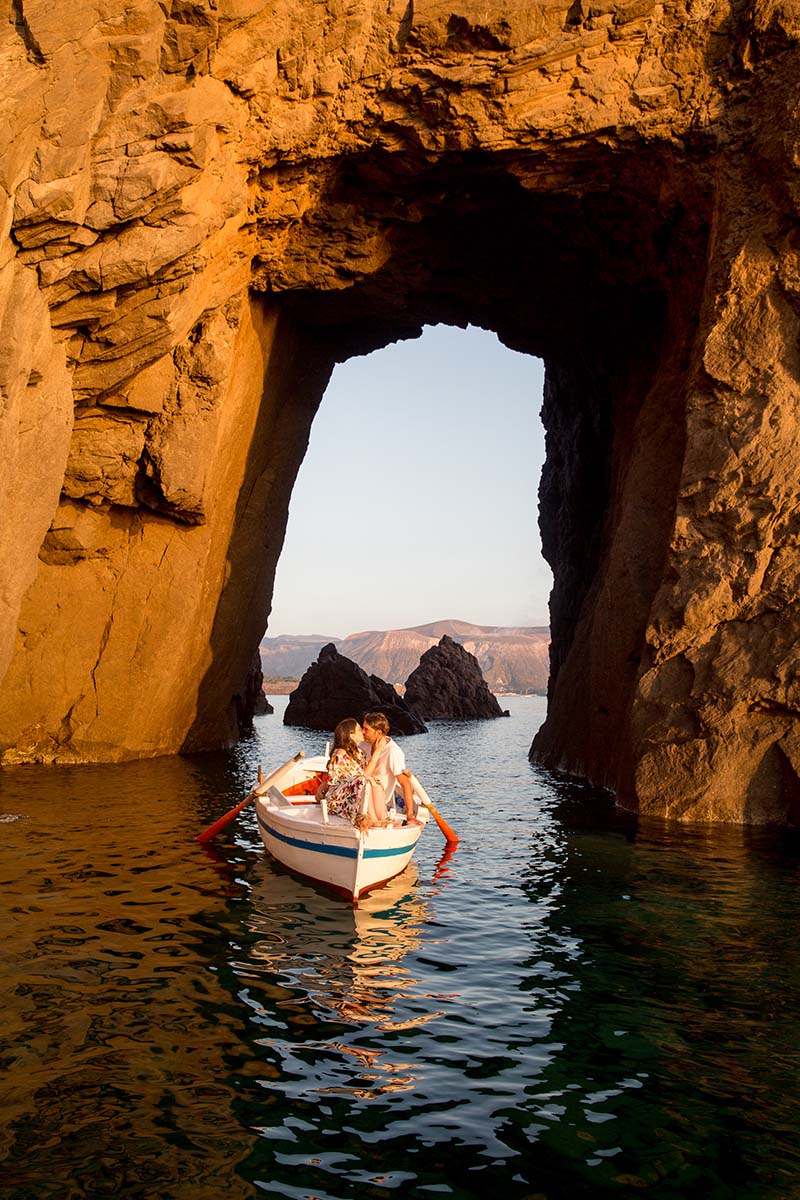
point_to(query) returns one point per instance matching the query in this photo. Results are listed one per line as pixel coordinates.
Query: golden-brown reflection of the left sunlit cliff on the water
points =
(115, 1033)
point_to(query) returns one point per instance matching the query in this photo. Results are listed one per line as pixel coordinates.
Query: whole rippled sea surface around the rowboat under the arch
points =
(569, 1006)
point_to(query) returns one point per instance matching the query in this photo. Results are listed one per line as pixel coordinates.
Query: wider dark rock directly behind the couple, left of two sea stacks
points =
(334, 688)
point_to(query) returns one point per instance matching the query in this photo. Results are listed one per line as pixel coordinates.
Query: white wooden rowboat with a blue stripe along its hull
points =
(303, 837)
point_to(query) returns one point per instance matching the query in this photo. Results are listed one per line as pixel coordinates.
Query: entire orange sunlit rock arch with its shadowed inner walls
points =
(207, 206)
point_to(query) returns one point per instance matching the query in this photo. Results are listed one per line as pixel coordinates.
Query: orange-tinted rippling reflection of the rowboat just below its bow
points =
(336, 969)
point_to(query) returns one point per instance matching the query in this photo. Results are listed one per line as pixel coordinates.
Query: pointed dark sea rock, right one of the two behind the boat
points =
(449, 686)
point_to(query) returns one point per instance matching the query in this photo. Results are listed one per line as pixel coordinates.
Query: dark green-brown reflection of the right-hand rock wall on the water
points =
(659, 965)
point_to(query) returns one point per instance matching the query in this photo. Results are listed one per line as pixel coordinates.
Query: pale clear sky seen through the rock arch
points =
(418, 497)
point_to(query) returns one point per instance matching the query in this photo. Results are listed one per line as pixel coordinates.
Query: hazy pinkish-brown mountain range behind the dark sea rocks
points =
(513, 659)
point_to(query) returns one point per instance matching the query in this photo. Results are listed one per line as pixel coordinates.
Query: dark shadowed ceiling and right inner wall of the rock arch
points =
(596, 268)
